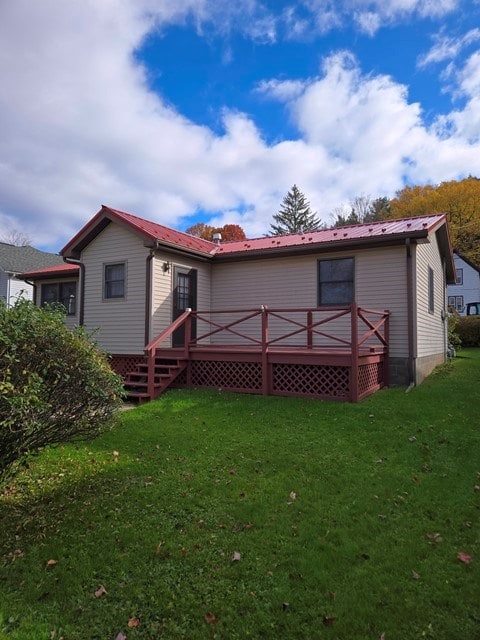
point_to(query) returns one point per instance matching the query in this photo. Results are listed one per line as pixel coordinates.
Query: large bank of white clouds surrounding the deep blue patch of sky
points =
(79, 126)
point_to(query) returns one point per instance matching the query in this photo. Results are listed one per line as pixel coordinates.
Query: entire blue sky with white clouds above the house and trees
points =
(211, 110)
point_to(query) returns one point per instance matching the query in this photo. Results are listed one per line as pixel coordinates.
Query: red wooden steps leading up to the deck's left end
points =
(166, 370)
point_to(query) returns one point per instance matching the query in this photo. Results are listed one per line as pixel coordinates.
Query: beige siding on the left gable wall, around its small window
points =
(120, 322)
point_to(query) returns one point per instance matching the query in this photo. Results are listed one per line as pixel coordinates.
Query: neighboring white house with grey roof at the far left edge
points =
(15, 260)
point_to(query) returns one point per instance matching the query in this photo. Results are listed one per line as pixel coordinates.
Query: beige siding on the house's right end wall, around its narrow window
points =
(430, 327)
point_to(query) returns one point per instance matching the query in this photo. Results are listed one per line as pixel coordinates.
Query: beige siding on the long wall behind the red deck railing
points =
(380, 283)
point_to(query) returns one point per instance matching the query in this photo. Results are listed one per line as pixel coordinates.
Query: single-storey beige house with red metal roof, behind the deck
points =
(135, 277)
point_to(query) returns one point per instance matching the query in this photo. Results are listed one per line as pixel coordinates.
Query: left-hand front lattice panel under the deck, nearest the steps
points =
(241, 376)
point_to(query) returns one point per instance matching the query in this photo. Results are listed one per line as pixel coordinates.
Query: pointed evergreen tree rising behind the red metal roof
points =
(294, 215)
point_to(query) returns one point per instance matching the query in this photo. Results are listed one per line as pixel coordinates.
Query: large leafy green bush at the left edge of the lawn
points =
(55, 384)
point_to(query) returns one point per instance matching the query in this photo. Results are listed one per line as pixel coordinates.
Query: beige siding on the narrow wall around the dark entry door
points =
(162, 289)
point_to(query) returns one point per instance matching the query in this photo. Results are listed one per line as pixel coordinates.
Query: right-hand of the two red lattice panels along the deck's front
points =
(311, 380)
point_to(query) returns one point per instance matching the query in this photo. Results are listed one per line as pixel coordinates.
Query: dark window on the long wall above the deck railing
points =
(335, 281)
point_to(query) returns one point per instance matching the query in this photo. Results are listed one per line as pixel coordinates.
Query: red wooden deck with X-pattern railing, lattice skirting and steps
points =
(305, 360)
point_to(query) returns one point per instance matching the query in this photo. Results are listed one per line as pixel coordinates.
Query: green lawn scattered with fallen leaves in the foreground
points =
(232, 516)
